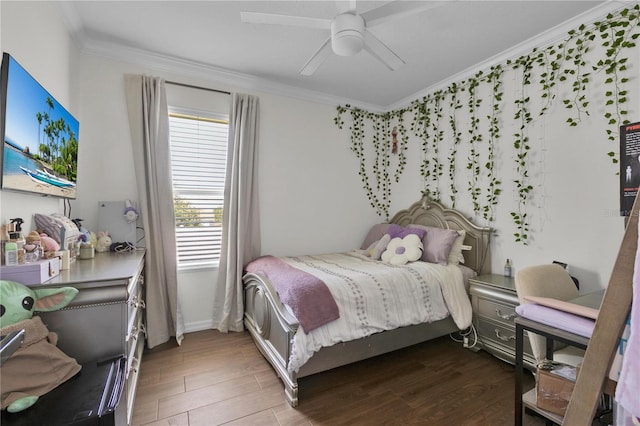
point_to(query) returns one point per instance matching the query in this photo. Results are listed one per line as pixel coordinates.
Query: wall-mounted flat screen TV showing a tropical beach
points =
(40, 149)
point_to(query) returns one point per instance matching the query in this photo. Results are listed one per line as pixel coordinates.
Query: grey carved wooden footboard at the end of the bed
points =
(272, 328)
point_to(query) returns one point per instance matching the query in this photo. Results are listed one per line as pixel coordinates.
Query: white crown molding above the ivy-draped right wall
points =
(539, 41)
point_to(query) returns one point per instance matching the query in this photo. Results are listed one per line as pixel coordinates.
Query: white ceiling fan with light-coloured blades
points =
(349, 30)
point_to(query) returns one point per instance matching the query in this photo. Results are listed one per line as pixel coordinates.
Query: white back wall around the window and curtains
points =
(306, 170)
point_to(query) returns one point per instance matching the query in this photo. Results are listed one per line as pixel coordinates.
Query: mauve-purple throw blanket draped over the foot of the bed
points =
(308, 296)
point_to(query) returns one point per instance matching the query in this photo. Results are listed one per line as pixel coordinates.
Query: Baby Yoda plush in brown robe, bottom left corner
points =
(38, 366)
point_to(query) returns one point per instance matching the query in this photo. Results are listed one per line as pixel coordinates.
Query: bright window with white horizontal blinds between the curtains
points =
(198, 164)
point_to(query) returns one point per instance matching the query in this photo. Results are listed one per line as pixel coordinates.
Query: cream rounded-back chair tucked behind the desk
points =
(548, 281)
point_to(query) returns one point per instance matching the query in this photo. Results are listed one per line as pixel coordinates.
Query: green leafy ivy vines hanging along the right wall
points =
(564, 70)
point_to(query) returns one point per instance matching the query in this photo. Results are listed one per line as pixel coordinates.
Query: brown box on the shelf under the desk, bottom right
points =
(554, 386)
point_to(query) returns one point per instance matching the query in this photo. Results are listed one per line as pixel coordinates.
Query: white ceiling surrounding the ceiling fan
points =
(436, 44)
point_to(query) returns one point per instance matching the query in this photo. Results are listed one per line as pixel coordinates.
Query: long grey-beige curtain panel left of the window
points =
(149, 125)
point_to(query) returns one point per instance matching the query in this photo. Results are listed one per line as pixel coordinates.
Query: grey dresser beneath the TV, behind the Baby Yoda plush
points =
(106, 319)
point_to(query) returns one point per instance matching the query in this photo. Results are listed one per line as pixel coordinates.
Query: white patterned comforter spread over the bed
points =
(373, 296)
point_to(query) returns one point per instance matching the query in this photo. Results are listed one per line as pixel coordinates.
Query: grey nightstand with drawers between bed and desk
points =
(494, 299)
